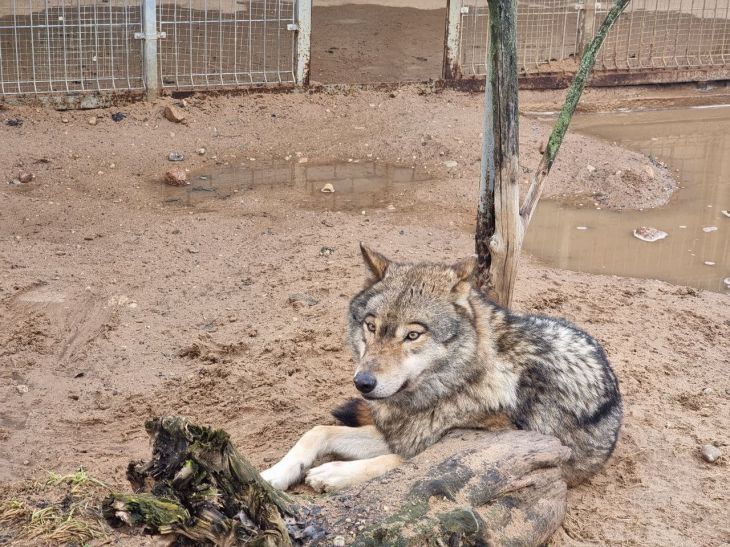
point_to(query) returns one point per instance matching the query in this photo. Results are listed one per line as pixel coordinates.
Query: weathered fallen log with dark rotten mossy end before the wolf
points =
(472, 488)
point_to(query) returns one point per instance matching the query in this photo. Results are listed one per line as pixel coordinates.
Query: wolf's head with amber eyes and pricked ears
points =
(412, 329)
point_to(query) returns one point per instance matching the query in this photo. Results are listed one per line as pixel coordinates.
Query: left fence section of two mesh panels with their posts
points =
(130, 46)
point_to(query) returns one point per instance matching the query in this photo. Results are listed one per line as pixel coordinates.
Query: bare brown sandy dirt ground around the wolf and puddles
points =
(104, 285)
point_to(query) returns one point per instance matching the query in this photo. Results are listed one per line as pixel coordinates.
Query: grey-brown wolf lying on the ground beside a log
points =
(433, 353)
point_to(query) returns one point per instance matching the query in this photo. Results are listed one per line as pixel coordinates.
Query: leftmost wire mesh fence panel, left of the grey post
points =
(49, 46)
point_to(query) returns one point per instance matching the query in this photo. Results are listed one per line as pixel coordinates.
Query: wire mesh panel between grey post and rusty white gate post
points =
(212, 43)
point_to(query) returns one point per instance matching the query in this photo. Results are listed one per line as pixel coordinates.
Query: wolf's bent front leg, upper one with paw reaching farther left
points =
(345, 442)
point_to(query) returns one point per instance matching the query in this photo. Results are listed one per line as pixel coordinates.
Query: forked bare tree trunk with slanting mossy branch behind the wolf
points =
(501, 223)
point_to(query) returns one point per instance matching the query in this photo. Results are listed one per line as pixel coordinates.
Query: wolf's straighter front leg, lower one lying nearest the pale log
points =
(332, 476)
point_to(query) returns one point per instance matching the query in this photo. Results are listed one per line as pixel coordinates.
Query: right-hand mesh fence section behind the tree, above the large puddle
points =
(653, 40)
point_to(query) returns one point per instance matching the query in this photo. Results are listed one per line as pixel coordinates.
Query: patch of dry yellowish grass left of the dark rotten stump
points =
(62, 510)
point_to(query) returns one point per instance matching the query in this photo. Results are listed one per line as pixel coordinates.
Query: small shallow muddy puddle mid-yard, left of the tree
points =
(333, 186)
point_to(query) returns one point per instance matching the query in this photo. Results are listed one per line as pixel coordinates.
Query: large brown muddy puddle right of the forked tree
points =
(695, 144)
